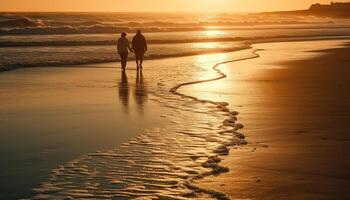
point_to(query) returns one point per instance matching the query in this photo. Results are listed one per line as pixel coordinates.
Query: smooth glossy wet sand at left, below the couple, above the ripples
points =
(50, 116)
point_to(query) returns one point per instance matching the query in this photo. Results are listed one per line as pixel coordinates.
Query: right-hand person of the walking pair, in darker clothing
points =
(139, 45)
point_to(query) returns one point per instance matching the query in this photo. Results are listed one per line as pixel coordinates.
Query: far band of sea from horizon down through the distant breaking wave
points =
(90, 23)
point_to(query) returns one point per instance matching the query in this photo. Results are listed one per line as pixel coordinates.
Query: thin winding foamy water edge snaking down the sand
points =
(223, 150)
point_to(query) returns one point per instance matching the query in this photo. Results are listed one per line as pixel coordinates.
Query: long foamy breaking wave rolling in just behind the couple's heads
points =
(30, 27)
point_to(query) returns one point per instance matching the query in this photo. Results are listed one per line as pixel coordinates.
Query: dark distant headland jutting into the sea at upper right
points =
(334, 9)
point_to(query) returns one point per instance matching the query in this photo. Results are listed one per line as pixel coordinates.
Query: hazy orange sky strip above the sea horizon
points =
(157, 5)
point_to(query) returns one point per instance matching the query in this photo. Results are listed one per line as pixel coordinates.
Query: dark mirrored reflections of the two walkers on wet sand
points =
(140, 92)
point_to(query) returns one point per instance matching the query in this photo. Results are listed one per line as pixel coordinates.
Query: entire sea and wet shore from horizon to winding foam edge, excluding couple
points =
(58, 141)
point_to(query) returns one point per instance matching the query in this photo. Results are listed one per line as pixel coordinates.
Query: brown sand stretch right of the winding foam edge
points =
(294, 103)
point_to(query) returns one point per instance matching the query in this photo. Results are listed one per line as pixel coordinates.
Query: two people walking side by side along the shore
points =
(138, 46)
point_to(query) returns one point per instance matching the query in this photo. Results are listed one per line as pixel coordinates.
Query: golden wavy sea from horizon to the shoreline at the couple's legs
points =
(52, 39)
